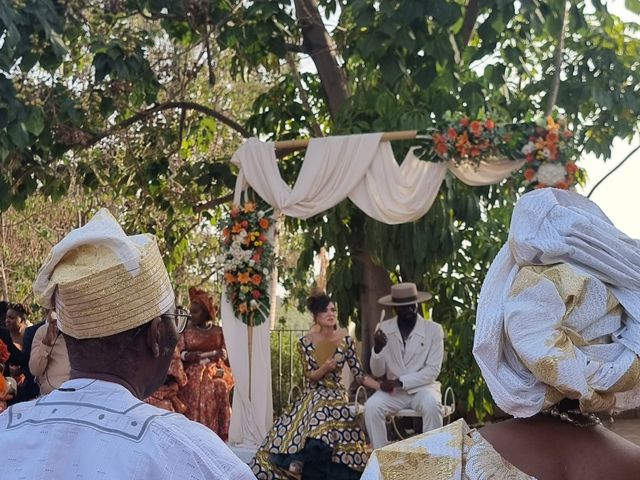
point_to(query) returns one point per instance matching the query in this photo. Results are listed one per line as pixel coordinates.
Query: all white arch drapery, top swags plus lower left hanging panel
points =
(359, 167)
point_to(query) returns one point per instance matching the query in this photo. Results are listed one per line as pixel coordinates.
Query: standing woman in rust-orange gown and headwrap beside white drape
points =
(204, 355)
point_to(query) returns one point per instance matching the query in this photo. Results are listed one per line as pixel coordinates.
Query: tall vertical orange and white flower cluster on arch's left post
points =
(247, 259)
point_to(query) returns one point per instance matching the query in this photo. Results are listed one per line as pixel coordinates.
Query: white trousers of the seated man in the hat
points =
(426, 402)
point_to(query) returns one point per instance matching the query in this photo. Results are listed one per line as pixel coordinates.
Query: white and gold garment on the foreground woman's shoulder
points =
(453, 452)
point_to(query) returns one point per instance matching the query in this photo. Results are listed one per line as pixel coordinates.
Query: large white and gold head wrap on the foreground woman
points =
(559, 311)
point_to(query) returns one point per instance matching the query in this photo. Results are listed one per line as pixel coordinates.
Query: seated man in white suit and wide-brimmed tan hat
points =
(407, 352)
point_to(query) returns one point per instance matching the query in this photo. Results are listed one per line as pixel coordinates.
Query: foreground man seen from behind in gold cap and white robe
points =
(116, 311)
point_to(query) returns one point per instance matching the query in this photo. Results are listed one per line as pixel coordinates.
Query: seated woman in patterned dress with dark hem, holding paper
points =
(319, 437)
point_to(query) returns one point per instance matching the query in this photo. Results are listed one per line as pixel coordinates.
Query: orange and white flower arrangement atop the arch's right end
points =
(546, 147)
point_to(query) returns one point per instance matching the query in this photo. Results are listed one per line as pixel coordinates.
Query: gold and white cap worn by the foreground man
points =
(102, 282)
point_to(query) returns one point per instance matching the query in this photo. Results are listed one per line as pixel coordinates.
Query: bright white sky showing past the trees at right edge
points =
(619, 195)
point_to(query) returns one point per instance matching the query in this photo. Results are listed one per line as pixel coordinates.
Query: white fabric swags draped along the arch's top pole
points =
(359, 167)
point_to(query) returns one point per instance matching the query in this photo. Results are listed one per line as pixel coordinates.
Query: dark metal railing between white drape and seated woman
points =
(286, 368)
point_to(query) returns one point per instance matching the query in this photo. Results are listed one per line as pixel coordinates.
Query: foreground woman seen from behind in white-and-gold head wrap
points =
(558, 340)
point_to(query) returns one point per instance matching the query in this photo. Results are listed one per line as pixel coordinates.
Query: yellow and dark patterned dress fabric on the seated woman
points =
(322, 413)
